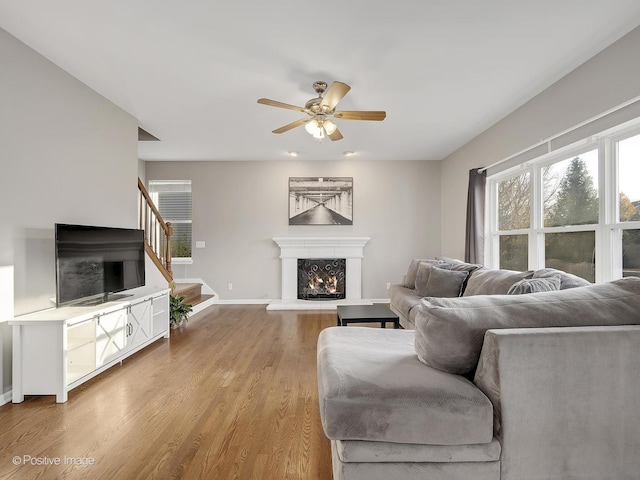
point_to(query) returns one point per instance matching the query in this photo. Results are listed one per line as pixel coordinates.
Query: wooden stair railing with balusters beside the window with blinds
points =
(157, 233)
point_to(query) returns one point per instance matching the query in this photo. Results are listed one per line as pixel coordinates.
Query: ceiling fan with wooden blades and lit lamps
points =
(321, 109)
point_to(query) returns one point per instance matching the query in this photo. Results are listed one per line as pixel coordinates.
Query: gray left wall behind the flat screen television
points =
(67, 155)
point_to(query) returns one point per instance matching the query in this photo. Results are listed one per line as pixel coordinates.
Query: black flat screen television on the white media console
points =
(93, 262)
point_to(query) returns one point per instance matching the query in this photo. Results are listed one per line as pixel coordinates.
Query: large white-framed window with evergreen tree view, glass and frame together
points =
(576, 210)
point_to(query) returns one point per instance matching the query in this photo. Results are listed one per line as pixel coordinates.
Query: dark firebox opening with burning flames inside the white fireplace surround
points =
(321, 279)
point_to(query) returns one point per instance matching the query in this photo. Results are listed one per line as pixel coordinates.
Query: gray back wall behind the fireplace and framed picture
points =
(238, 207)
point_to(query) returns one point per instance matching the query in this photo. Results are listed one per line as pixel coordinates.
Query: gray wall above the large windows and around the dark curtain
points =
(606, 81)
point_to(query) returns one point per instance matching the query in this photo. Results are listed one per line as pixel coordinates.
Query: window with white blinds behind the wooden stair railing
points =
(173, 200)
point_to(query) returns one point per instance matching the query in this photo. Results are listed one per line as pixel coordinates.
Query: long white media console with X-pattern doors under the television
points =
(56, 350)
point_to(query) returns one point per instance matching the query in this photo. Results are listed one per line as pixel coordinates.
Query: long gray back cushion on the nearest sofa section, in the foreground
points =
(449, 331)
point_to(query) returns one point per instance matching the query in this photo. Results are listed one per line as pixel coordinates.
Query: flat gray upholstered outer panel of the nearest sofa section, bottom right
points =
(566, 401)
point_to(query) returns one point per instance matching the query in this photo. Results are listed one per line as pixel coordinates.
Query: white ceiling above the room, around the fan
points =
(191, 71)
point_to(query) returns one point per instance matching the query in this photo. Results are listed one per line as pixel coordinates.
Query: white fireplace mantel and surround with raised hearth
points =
(293, 248)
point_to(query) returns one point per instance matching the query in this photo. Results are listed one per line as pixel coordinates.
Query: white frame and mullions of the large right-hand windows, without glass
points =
(608, 230)
